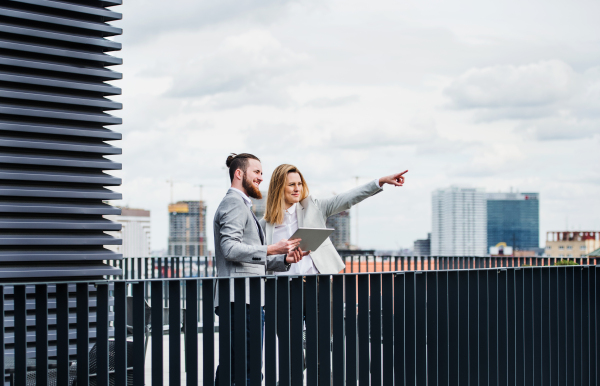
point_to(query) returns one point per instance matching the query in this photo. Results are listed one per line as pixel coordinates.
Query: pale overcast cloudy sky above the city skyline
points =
(497, 95)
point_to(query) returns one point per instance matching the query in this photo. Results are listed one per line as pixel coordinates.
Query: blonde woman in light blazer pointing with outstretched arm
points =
(289, 206)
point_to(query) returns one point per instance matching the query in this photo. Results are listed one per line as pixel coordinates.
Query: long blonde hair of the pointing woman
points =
(274, 212)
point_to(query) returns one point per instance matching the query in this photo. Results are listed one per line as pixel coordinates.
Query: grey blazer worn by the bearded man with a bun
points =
(239, 249)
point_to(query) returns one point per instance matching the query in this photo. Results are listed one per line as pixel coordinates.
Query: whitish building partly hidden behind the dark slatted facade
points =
(135, 232)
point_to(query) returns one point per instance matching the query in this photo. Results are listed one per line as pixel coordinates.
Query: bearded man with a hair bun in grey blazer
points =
(240, 247)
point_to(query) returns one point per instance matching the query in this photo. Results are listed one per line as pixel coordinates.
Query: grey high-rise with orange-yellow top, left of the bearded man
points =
(187, 228)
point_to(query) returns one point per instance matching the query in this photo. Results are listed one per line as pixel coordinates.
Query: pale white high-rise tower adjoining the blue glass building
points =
(459, 224)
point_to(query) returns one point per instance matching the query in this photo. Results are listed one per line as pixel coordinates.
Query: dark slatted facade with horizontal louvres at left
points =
(55, 119)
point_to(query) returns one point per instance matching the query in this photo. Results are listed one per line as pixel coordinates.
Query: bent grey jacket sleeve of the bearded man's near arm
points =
(232, 223)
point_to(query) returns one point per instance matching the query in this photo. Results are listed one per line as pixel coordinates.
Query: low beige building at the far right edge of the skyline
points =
(571, 243)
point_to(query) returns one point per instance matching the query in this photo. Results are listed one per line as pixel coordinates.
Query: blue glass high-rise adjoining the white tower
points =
(513, 218)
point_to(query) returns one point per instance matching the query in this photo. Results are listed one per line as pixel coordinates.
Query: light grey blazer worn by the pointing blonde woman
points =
(313, 213)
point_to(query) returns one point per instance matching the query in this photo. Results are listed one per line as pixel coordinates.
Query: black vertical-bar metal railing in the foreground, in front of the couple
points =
(495, 326)
